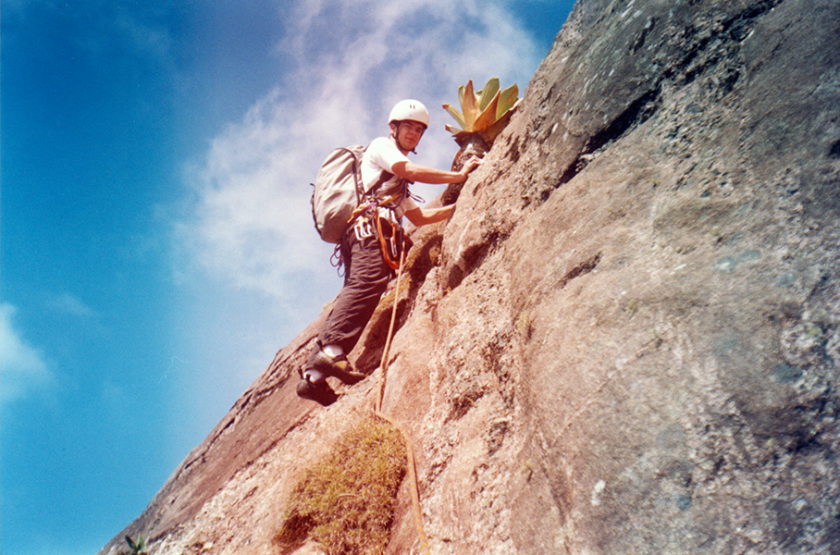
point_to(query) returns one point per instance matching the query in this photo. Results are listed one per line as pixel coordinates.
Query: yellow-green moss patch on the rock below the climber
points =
(346, 502)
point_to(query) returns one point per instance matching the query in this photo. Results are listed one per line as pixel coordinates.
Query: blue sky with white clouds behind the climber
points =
(156, 245)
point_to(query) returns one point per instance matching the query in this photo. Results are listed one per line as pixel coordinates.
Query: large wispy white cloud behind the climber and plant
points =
(249, 223)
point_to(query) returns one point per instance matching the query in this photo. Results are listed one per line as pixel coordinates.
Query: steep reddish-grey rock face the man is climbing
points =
(625, 340)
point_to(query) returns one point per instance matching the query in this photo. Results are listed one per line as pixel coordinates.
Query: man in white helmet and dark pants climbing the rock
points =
(386, 174)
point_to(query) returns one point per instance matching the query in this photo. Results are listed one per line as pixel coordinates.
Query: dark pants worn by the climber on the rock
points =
(366, 278)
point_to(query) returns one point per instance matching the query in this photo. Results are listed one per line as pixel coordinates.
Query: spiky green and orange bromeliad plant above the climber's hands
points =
(484, 113)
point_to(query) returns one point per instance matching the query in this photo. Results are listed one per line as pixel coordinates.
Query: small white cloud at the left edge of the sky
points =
(24, 370)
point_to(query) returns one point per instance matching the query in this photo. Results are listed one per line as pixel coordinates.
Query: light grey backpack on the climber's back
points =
(337, 193)
